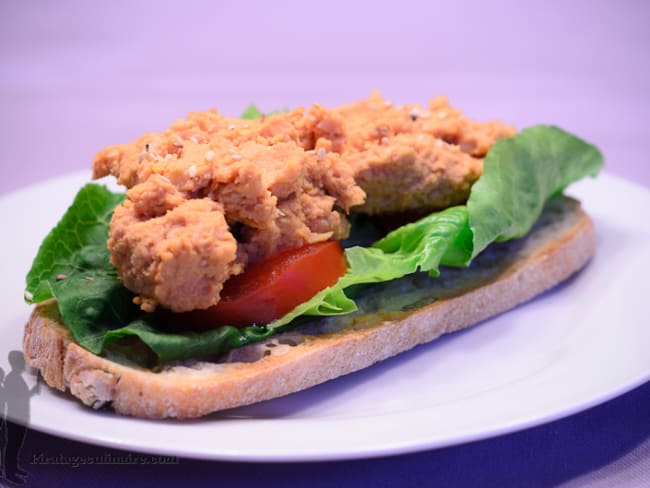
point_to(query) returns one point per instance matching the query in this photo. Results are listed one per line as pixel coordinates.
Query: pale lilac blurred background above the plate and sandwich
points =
(77, 76)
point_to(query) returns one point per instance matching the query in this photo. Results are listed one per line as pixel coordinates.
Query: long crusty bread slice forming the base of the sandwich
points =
(392, 318)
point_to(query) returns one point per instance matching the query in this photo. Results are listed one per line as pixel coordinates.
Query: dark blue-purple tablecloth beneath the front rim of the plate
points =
(605, 446)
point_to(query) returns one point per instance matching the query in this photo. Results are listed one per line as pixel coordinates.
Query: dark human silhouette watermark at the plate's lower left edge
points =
(14, 403)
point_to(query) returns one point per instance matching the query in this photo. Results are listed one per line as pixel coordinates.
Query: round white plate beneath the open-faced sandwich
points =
(576, 346)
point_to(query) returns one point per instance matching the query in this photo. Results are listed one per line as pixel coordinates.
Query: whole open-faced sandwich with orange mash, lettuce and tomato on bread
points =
(251, 258)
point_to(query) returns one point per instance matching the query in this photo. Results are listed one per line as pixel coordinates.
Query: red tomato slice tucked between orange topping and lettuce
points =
(271, 288)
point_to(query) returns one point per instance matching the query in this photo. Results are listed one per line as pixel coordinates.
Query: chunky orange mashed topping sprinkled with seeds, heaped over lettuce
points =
(212, 194)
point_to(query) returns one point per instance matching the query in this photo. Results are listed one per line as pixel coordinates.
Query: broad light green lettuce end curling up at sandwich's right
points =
(521, 174)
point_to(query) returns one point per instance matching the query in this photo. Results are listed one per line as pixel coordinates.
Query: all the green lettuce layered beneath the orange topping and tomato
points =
(520, 175)
